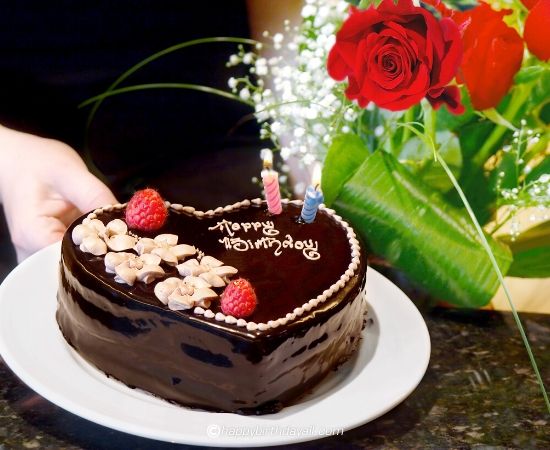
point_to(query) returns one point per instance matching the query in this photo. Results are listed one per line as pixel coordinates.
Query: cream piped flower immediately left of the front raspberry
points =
(181, 294)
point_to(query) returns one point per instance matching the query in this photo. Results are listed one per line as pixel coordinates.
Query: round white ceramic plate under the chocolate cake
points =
(390, 363)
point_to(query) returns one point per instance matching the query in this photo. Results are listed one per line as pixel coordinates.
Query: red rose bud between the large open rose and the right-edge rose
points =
(492, 55)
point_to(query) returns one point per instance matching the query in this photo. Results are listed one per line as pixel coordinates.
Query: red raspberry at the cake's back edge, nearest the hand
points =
(146, 210)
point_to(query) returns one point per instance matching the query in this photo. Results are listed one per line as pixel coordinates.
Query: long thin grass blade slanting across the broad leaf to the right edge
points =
(430, 117)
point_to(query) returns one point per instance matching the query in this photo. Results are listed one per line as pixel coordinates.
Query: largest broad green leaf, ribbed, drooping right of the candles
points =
(436, 244)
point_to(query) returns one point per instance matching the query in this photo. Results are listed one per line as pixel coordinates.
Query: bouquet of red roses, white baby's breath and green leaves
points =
(431, 122)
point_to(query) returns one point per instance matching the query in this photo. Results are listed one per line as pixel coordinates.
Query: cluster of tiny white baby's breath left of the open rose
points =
(298, 105)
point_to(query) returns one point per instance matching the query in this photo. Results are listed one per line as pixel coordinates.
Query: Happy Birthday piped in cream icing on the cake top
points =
(309, 247)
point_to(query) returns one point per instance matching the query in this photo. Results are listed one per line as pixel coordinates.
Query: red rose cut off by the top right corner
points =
(537, 30)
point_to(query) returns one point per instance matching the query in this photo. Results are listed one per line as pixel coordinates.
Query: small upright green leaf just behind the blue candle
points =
(344, 156)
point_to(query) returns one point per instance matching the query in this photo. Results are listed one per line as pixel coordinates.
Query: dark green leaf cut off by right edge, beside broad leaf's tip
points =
(531, 251)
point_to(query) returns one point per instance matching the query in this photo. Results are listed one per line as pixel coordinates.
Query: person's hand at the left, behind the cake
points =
(44, 186)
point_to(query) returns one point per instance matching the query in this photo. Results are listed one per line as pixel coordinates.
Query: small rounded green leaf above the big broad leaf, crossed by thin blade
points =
(419, 159)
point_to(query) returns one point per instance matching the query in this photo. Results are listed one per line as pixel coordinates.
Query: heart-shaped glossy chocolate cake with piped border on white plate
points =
(232, 309)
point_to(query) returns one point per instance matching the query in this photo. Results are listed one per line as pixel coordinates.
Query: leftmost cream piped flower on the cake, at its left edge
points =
(96, 238)
